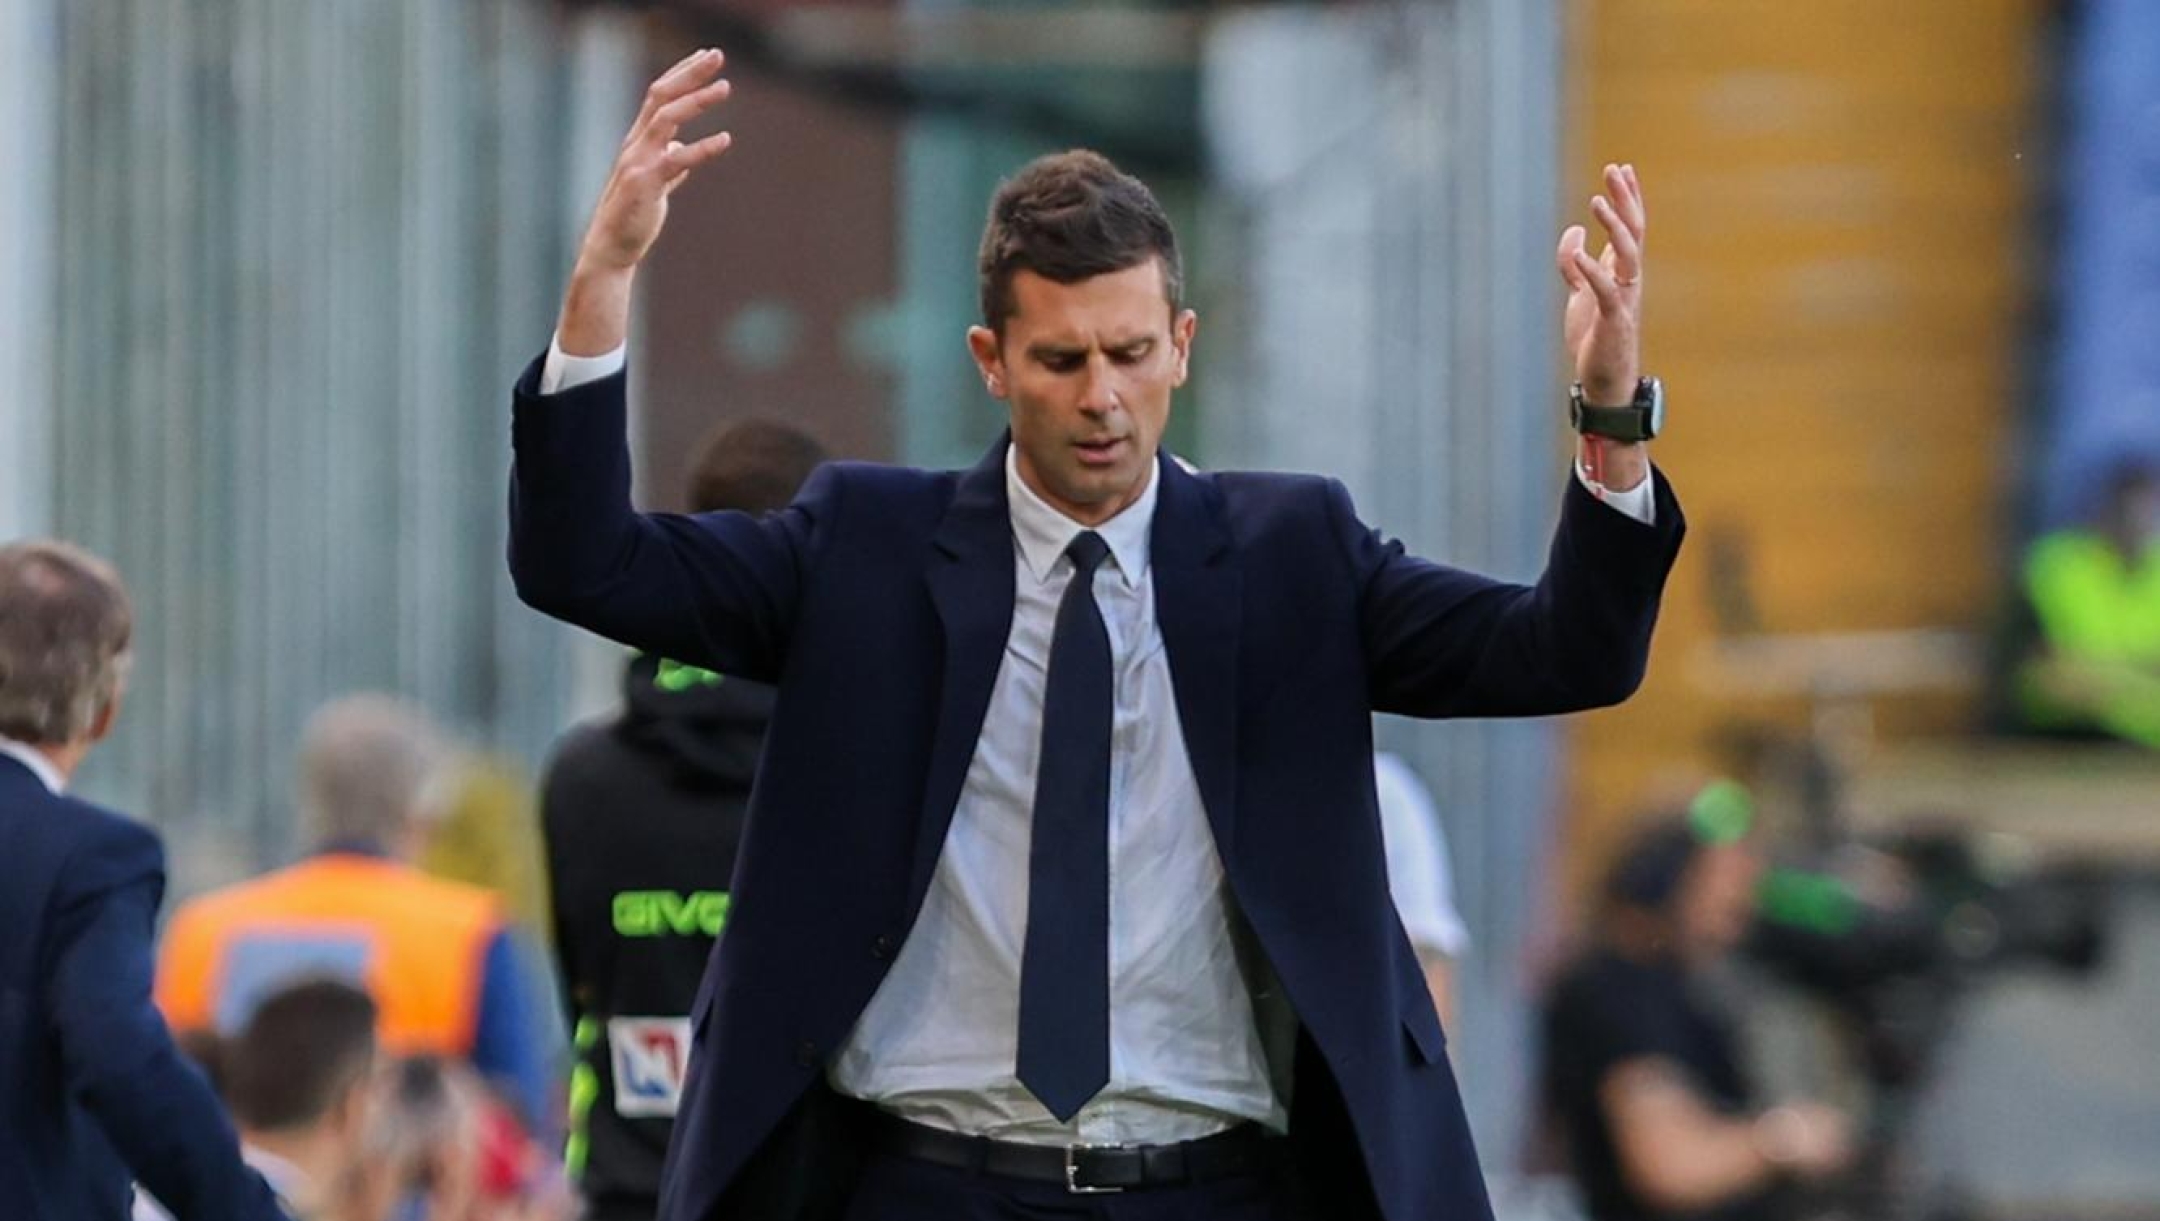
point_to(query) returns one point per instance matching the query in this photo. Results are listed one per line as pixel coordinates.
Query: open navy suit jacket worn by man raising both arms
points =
(880, 606)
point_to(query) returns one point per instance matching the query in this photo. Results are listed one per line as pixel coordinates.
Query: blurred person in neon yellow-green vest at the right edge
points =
(2094, 591)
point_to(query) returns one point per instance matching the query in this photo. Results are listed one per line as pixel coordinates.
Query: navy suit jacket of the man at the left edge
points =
(92, 1088)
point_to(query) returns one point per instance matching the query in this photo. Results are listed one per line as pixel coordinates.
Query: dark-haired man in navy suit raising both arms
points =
(1064, 881)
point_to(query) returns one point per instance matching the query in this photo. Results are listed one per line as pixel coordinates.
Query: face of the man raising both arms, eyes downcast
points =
(1088, 373)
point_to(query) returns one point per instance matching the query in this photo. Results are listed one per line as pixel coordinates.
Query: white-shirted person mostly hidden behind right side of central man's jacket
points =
(1420, 876)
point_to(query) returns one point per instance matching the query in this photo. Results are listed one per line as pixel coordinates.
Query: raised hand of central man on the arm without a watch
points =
(634, 204)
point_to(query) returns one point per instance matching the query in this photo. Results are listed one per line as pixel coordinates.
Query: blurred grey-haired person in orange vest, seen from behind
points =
(437, 956)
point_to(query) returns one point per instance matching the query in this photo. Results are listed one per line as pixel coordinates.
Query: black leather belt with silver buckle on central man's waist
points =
(1085, 1170)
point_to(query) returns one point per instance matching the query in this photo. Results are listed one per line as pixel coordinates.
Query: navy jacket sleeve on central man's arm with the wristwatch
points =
(1442, 643)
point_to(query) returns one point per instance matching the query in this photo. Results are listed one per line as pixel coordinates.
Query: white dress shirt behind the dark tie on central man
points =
(936, 1045)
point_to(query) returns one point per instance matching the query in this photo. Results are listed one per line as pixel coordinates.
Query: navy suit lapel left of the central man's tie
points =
(971, 582)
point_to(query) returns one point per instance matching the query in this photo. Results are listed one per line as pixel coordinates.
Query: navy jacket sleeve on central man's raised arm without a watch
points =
(714, 589)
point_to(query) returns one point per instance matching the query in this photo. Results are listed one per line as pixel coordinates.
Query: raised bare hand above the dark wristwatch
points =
(1604, 323)
